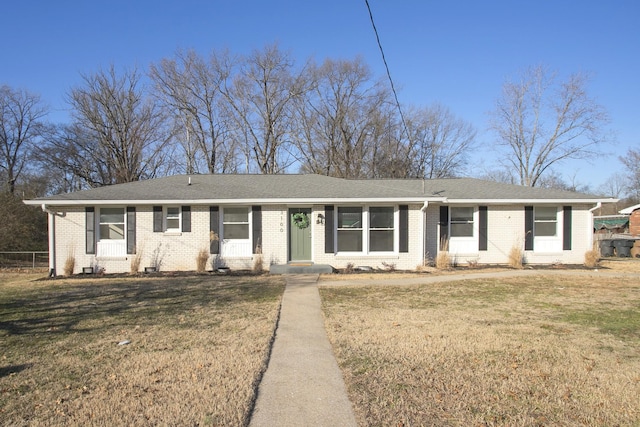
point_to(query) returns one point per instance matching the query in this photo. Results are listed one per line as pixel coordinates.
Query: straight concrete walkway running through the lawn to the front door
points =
(302, 385)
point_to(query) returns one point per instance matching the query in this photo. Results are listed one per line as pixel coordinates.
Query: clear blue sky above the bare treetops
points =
(457, 53)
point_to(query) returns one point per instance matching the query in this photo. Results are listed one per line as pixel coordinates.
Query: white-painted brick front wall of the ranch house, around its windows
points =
(179, 251)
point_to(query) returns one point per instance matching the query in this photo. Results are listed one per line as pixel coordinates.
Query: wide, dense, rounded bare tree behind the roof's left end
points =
(117, 135)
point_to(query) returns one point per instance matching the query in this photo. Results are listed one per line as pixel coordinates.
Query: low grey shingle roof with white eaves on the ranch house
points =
(306, 188)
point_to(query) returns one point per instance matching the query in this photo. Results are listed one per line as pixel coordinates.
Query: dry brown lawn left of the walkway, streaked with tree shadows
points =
(197, 348)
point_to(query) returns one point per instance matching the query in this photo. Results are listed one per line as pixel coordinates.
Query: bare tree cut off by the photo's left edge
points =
(21, 115)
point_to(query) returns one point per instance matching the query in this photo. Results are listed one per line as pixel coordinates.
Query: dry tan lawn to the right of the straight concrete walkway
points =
(528, 351)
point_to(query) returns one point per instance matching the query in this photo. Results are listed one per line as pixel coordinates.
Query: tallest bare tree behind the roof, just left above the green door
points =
(261, 98)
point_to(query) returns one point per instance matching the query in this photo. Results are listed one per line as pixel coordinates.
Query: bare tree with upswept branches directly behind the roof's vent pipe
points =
(191, 89)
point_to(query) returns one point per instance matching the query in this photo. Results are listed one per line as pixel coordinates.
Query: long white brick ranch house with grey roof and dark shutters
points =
(314, 219)
